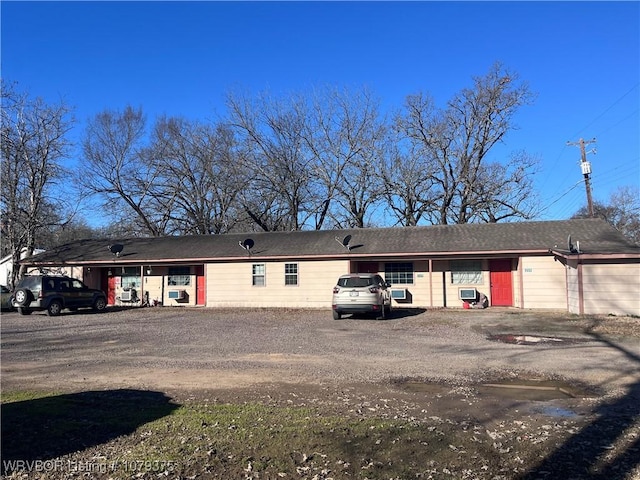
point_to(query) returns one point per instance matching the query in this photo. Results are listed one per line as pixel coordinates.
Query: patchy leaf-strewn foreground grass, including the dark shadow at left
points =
(134, 434)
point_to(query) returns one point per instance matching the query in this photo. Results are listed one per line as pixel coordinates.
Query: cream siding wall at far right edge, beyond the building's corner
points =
(611, 289)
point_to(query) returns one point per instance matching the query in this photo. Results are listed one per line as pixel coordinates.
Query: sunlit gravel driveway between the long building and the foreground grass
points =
(195, 349)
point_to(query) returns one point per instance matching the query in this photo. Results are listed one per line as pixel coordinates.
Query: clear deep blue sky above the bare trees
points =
(180, 58)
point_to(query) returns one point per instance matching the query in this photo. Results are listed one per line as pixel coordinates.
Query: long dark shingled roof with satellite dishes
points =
(595, 237)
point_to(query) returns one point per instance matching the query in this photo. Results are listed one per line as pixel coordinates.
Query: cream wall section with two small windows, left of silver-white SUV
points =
(230, 285)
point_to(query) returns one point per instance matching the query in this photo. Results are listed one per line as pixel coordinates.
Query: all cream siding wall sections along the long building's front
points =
(538, 283)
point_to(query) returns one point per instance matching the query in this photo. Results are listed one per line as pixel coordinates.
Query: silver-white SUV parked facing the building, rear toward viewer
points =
(361, 293)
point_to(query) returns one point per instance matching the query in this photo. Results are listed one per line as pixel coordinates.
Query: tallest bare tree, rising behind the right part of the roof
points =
(454, 145)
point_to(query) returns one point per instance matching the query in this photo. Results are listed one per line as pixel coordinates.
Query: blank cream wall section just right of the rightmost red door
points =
(543, 283)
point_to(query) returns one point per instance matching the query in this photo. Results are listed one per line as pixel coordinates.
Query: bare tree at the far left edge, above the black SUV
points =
(34, 143)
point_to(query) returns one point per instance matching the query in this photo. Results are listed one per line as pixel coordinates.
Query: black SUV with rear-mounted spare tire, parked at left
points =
(53, 293)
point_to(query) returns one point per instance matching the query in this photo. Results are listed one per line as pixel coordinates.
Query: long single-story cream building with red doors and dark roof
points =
(583, 266)
